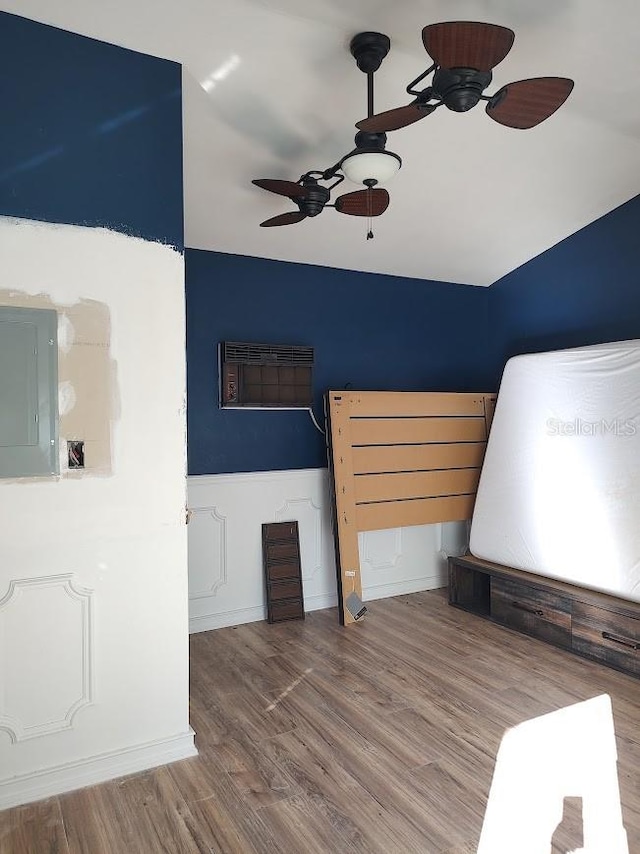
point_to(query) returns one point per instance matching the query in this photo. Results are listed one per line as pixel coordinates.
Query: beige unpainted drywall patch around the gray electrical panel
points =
(88, 400)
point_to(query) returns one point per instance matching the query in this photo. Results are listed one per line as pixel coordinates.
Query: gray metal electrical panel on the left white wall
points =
(28, 392)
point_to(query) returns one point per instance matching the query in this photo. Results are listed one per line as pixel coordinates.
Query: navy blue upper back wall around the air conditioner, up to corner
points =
(369, 331)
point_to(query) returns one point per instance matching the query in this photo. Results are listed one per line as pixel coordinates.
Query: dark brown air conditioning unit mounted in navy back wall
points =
(265, 376)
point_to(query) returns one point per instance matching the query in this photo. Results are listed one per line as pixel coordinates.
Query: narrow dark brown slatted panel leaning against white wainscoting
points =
(282, 571)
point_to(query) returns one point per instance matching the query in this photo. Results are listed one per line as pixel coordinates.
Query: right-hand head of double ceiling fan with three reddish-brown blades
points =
(464, 54)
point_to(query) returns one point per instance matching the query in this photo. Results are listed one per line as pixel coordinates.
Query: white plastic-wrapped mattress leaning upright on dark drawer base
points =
(559, 491)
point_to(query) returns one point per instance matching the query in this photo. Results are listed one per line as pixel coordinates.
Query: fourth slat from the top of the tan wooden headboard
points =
(401, 485)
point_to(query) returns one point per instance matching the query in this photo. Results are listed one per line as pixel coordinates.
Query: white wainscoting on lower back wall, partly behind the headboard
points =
(226, 582)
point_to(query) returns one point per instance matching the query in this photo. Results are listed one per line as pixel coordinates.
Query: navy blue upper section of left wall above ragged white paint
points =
(91, 133)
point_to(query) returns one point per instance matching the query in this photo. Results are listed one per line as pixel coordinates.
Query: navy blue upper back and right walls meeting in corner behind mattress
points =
(384, 332)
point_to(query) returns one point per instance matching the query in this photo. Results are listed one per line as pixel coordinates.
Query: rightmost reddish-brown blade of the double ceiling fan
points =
(526, 103)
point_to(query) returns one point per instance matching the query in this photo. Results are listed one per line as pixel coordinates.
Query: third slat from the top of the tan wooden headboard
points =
(392, 458)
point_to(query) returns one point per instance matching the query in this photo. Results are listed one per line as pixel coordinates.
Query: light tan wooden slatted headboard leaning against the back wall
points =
(398, 459)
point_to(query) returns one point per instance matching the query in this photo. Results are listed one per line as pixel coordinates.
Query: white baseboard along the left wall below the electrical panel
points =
(97, 769)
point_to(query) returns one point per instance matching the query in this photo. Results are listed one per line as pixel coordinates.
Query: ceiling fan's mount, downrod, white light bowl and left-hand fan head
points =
(368, 163)
